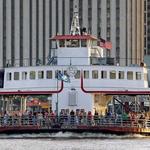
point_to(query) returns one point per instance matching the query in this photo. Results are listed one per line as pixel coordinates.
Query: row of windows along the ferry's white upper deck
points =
(95, 74)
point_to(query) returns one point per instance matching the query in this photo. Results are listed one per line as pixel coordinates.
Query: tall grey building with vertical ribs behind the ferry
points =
(26, 25)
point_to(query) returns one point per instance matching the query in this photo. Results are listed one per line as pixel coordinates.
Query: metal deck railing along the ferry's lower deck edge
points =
(71, 121)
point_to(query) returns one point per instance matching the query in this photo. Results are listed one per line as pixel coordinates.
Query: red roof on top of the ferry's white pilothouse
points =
(73, 37)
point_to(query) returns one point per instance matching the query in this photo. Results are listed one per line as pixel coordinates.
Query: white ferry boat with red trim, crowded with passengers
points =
(78, 77)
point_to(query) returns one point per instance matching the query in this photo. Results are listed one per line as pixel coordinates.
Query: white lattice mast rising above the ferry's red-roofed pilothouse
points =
(75, 27)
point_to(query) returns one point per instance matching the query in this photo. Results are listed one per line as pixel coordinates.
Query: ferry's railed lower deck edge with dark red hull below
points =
(76, 124)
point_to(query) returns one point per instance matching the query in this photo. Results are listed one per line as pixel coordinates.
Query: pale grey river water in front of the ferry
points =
(69, 141)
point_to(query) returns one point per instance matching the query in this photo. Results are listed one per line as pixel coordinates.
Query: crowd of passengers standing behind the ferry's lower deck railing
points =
(72, 118)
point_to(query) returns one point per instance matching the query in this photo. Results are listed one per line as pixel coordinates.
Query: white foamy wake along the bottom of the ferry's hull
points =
(70, 135)
